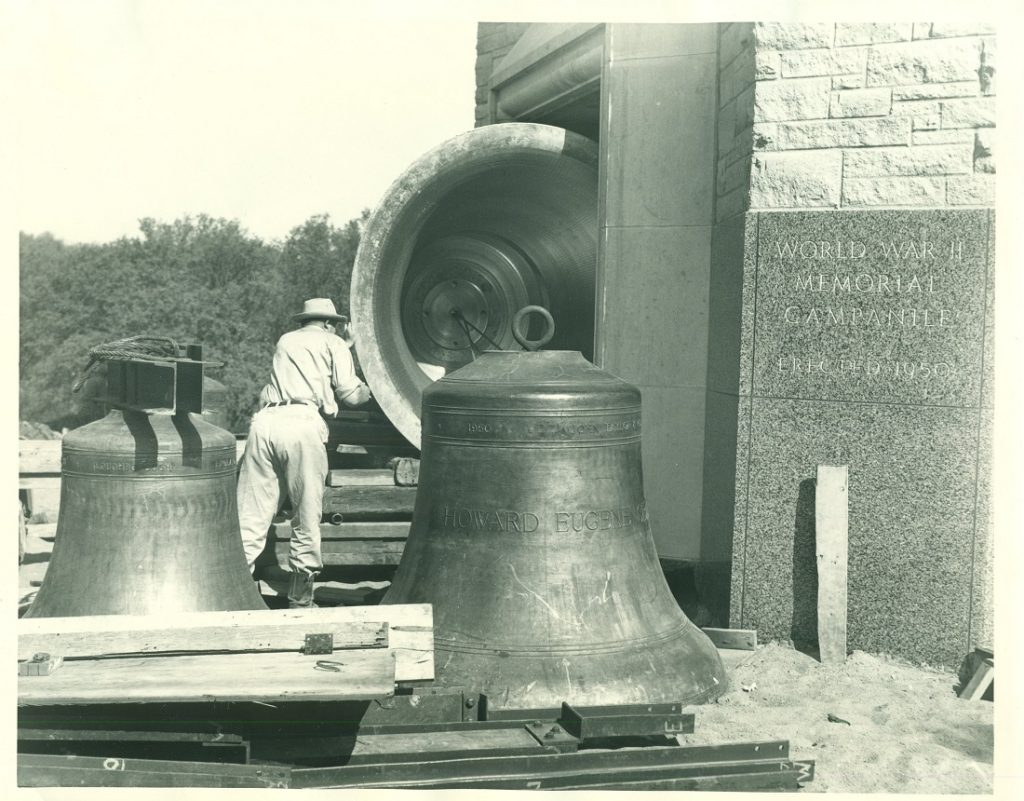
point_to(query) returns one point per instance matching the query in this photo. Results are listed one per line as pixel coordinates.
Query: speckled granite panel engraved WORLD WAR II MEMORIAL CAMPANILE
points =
(868, 349)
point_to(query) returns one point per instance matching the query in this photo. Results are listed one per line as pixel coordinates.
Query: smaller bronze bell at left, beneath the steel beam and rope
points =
(148, 523)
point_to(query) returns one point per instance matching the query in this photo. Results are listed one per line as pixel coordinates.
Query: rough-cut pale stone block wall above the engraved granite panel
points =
(856, 115)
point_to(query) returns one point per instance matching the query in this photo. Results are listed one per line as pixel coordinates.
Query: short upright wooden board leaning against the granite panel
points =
(831, 519)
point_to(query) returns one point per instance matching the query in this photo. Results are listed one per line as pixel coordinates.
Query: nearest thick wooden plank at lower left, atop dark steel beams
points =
(265, 678)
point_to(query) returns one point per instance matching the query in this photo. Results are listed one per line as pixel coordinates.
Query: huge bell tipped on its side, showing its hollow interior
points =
(486, 224)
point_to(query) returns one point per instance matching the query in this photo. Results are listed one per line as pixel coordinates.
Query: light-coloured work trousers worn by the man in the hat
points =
(284, 456)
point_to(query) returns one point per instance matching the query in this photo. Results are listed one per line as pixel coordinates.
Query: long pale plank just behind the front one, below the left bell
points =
(410, 629)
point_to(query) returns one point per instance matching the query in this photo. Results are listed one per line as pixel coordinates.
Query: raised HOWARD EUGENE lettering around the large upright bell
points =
(528, 523)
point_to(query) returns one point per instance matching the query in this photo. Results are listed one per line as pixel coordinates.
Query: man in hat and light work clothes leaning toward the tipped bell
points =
(285, 455)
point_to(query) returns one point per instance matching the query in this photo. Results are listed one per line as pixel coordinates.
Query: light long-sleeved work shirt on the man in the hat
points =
(315, 365)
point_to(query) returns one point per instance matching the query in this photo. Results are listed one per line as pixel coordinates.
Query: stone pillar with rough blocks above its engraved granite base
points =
(851, 324)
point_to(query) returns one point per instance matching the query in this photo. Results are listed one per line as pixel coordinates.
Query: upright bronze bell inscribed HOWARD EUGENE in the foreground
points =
(531, 539)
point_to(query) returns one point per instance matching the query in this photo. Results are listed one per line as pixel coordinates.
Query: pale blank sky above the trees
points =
(264, 112)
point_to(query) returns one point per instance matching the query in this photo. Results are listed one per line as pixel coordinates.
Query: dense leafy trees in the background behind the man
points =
(198, 280)
